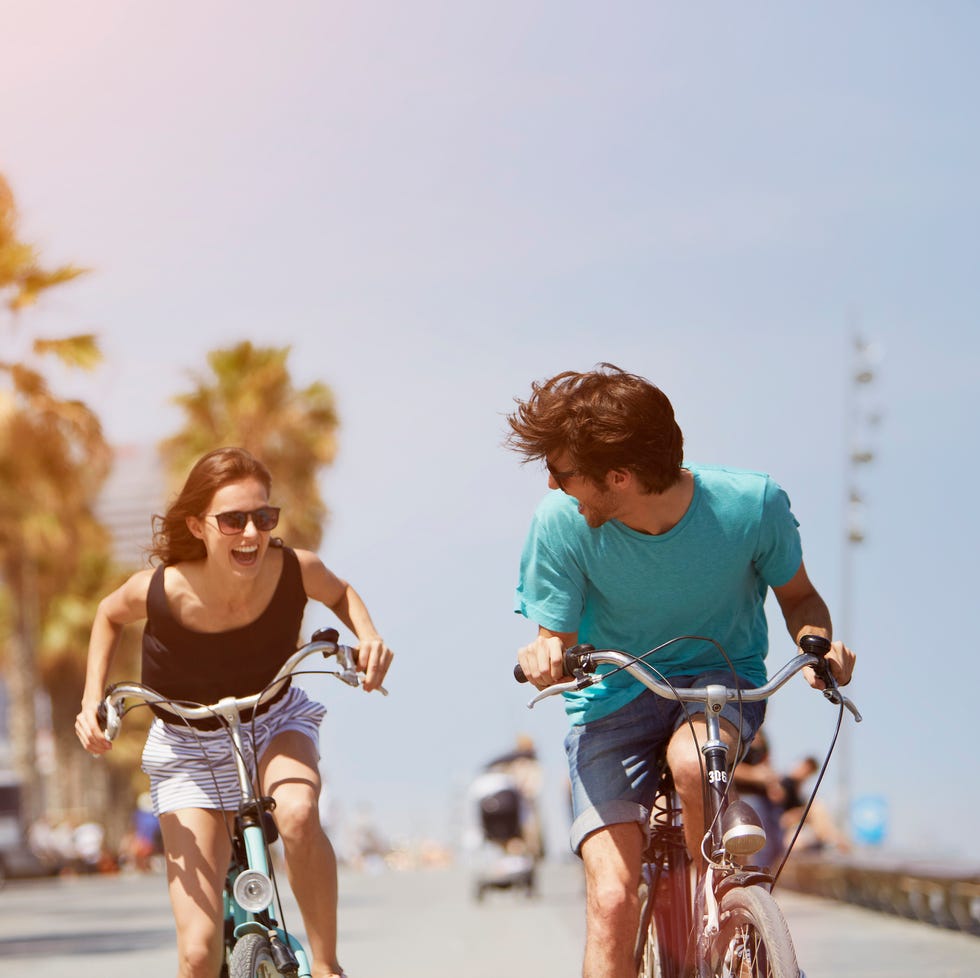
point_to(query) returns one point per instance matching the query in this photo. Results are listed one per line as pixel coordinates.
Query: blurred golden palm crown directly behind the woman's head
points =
(250, 401)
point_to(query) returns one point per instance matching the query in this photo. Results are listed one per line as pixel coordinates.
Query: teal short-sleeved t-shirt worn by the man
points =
(621, 589)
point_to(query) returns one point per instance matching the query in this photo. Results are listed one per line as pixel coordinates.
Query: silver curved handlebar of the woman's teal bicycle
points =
(113, 706)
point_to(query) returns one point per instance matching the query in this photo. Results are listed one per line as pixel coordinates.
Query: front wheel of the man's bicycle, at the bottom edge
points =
(753, 940)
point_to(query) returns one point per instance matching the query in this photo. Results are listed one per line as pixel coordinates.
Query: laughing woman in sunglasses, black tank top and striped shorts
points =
(223, 611)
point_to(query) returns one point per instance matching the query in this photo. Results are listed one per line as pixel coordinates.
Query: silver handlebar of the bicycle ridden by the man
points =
(580, 663)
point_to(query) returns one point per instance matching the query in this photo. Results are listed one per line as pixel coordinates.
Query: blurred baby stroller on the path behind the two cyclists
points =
(503, 861)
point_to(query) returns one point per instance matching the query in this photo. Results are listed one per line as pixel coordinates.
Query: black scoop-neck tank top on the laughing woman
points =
(203, 667)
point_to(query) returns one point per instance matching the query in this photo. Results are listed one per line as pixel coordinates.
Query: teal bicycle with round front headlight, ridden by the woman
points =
(257, 944)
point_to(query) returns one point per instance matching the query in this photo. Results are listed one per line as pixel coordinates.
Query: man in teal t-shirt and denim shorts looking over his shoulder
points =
(634, 549)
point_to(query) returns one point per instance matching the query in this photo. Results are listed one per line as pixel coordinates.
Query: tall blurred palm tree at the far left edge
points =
(53, 460)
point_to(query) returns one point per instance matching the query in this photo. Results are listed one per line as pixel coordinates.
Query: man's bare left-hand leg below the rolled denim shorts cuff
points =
(611, 857)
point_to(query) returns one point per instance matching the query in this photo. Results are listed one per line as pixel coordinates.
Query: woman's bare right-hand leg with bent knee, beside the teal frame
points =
(288, 771)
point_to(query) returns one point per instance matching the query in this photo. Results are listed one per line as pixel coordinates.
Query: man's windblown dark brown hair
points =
(602, 420)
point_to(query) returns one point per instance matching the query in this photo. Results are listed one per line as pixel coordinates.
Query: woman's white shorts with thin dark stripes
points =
(191, 768)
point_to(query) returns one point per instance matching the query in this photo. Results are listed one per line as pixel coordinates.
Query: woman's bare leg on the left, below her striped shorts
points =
(197, 852)
